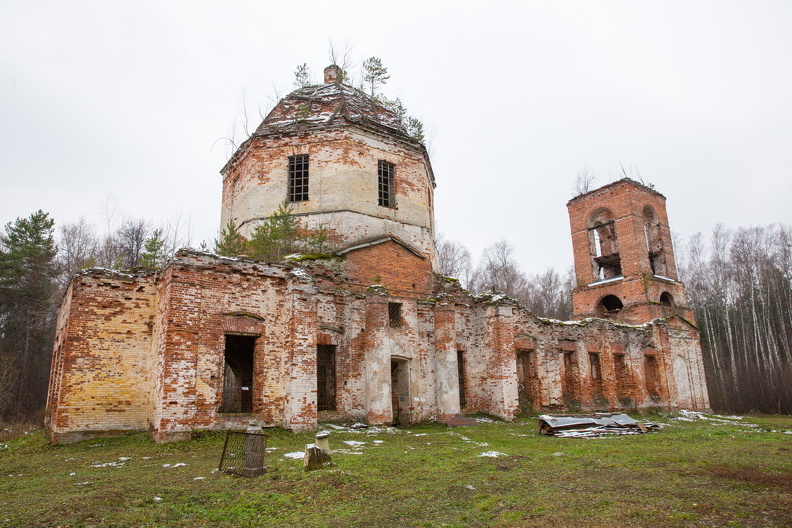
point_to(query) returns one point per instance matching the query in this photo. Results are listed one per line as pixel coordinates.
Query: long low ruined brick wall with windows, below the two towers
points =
(214, 342)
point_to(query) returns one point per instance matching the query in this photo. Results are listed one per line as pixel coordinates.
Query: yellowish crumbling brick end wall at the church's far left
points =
(102, 366)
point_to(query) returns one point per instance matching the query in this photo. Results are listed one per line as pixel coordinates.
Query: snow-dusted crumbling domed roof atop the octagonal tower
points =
(328, 105)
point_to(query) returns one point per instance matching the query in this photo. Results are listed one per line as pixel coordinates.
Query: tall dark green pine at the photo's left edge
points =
(27, 284)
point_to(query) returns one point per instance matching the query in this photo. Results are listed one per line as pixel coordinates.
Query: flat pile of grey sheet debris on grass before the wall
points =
(599, 424)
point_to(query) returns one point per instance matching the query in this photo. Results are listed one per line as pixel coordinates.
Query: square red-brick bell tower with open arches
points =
(624, 258)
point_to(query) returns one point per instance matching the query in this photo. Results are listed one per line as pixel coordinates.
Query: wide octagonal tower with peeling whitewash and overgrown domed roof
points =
(341, 160)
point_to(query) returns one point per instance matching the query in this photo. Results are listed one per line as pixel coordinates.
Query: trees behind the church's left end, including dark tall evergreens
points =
(36, 265)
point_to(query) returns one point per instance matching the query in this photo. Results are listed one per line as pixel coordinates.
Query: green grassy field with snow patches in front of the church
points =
(699, 473)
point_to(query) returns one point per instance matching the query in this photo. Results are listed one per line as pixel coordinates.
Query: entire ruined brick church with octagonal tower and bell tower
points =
(373, 333)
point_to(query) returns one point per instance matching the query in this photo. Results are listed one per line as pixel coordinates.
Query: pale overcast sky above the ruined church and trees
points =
(127, 101)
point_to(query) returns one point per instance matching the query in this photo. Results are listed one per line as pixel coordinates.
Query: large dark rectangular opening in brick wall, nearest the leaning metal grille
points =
(238, 374)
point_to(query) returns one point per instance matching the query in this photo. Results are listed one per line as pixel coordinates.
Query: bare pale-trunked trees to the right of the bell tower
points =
(739, 284)
